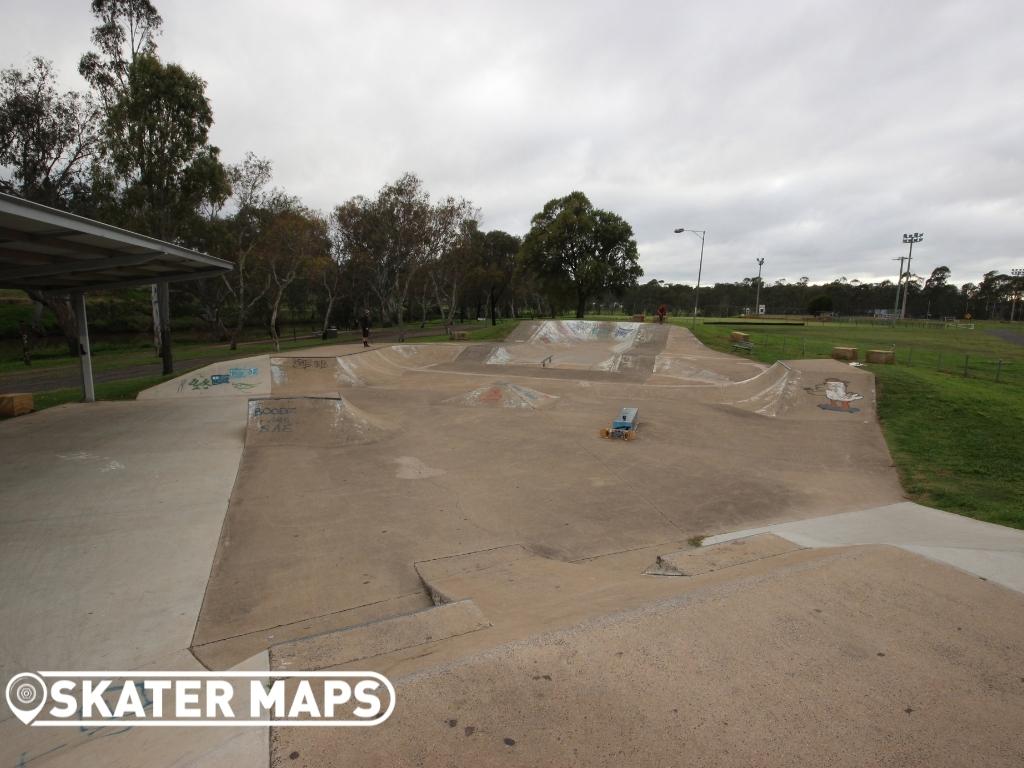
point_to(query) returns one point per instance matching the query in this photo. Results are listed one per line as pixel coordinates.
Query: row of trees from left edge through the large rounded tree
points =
(135, 151)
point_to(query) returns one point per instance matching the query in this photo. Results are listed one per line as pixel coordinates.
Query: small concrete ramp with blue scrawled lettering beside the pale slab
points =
(310, 422)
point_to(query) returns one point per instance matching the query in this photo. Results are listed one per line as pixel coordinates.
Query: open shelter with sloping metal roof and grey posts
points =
(56, 252)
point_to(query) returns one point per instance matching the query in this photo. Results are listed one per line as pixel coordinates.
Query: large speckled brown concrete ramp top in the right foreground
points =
(867, 657)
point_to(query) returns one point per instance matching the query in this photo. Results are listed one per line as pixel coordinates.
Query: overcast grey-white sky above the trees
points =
(810, 134)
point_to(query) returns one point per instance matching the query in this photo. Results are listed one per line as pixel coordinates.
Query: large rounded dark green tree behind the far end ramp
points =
(574, 247)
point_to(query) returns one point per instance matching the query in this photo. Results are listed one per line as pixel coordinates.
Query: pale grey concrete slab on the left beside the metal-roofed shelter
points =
(110, 515)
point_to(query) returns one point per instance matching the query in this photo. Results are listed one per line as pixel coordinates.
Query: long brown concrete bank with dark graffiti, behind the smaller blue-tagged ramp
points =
(377, 367)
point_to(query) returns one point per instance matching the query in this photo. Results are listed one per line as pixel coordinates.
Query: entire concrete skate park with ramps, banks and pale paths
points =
(743, 584)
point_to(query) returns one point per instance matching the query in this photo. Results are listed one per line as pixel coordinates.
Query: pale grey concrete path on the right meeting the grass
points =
(994, 552)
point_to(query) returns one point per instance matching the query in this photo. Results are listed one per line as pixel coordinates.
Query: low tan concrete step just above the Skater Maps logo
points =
(377, 638)
